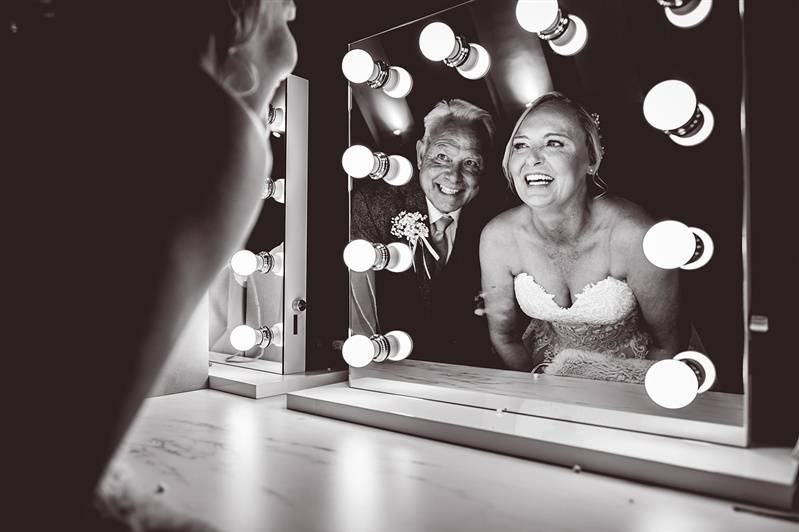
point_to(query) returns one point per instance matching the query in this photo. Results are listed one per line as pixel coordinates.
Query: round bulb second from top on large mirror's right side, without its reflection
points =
(669, 104)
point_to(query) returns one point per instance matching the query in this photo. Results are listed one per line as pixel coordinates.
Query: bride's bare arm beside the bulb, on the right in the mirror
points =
(657, 290)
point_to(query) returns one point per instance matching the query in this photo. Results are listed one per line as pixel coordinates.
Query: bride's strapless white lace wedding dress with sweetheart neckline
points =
(604, 317)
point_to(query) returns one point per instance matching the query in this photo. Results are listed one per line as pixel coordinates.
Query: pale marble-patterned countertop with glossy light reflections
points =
(242, 464)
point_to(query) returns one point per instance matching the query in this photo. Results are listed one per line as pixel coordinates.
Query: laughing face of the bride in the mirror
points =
(549, 157)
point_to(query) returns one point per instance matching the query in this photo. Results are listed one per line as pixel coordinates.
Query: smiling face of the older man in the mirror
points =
(451, 163)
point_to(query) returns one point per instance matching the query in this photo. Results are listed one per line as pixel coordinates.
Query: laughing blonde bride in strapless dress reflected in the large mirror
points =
(572, 263)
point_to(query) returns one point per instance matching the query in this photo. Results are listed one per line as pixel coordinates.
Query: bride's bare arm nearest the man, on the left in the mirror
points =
(504, 316)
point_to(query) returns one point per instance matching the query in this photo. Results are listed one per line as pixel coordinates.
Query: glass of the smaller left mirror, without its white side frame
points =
(247, 296)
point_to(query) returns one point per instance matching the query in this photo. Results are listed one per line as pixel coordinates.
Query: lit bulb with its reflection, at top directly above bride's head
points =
(567, 34)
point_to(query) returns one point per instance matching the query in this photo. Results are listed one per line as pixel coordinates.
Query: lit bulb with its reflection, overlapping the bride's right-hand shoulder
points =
(671, 244)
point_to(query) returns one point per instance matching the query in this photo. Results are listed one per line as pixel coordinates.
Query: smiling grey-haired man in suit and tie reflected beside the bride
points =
(435, 301)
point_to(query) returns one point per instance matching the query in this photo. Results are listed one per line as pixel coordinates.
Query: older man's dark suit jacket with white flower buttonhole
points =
(438, 313)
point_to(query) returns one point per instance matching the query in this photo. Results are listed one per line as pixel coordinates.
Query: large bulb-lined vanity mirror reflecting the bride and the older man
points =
(666, 83)
